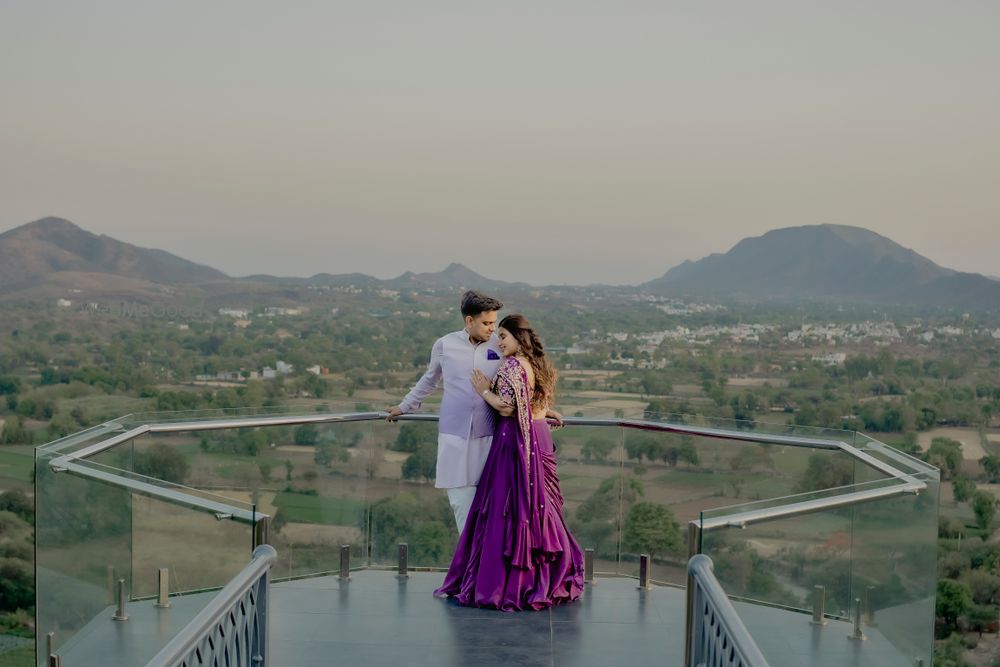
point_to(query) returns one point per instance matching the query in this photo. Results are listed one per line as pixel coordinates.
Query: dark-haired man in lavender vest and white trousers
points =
(465, 425)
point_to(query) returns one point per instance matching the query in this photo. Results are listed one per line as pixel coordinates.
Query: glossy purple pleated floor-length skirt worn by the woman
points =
(516, 552)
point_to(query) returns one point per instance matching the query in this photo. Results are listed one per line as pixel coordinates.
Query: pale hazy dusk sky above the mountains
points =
(552, 142)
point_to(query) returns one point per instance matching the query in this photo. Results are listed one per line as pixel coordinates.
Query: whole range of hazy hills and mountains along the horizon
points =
(816, 262)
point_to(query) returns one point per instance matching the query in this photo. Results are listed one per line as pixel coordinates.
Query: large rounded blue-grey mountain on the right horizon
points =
(834, 262)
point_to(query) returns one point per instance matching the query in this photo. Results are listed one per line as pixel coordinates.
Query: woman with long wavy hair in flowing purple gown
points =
(516, 552)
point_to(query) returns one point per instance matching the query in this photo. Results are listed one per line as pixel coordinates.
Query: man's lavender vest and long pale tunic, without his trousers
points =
(465, 426)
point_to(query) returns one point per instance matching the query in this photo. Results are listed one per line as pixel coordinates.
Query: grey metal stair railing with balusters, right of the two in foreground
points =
(716, 635)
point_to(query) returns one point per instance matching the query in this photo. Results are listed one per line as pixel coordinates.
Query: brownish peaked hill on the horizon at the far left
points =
(40, 251)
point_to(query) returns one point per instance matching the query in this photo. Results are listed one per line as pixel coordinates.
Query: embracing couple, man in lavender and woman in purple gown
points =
(497, 462)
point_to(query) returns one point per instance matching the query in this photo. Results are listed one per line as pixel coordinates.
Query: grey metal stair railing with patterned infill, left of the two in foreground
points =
(215, 613)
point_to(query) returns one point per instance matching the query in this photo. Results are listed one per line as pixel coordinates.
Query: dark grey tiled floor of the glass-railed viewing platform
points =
(375, 619)
